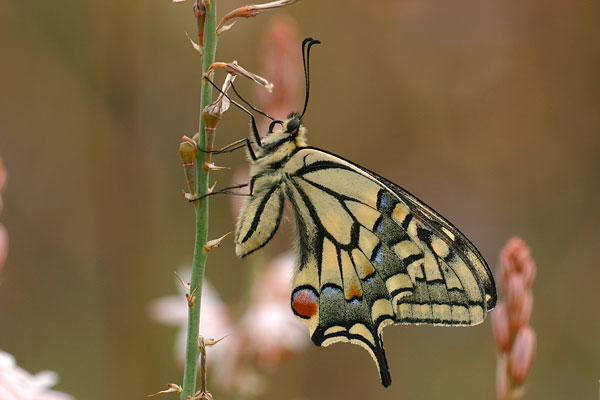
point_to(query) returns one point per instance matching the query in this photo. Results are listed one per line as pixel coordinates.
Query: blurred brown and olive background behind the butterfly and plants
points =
(486, 110)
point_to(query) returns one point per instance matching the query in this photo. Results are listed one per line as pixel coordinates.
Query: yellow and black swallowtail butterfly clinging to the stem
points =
(370, 254)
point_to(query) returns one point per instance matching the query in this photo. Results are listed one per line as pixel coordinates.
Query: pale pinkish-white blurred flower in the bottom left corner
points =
(18, 384)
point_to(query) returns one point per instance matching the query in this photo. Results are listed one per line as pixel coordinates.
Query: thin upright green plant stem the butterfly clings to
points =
(201, 209)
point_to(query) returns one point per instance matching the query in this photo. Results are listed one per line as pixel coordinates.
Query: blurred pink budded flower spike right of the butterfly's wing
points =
(515, 338)
